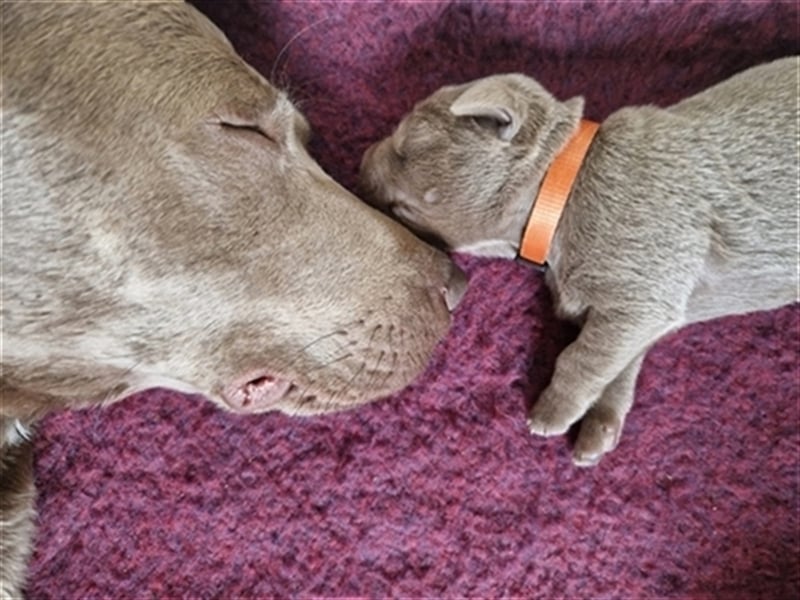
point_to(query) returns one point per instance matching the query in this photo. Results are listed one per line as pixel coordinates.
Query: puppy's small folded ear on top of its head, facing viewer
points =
(493, 102)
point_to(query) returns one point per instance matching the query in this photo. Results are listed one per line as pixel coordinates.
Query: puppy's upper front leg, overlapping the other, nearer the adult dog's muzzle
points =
(607, 344)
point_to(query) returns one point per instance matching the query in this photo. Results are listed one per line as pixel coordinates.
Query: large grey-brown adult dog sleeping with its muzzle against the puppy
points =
(163, 224)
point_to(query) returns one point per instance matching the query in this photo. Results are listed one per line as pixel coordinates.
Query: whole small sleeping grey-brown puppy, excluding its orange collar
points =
(677, 215)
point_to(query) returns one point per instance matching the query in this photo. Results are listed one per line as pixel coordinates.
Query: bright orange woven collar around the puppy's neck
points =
(553, 194)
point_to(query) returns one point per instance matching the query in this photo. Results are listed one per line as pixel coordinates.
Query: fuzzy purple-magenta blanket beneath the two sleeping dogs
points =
(440, 491)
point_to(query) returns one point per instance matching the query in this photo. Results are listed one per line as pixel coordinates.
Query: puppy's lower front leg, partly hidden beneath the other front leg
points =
(602, 425)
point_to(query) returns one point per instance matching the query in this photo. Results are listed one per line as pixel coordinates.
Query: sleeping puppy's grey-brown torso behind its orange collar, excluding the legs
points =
(703, 196)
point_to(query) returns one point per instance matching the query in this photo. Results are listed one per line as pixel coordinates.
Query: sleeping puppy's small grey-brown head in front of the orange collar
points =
(463, 167)
